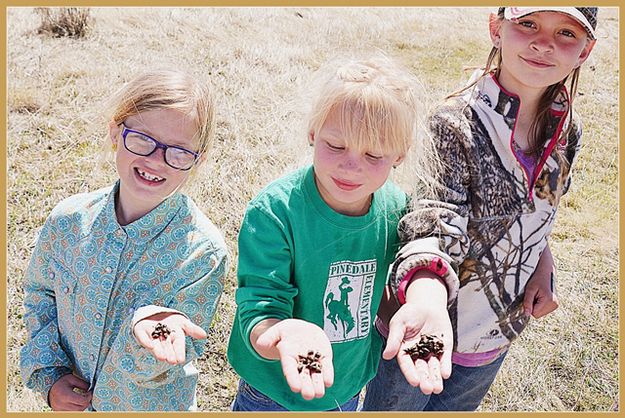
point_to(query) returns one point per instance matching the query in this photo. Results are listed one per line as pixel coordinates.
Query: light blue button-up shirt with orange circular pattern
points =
(86, 278)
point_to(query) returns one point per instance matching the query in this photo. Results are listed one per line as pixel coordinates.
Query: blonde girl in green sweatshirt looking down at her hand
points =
(316, 244)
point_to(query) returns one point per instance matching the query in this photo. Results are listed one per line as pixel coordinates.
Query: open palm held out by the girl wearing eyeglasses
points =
(167, 348)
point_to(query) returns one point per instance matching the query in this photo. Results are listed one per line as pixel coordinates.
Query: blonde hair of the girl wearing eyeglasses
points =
(169, 89)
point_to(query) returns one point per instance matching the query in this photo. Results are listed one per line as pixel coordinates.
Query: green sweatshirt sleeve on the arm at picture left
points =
(265, 289)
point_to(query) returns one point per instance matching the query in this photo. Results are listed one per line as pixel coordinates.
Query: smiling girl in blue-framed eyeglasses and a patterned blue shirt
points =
(124, 281)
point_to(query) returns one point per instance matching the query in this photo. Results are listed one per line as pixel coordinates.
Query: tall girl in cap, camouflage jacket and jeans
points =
(475, 262)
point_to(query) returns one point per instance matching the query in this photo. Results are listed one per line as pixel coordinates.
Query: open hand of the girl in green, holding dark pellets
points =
(293, 338)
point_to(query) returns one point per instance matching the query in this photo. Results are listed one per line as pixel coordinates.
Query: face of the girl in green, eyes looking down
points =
(347, 177)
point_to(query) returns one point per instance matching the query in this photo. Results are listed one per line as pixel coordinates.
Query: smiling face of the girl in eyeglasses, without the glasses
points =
(145, 182)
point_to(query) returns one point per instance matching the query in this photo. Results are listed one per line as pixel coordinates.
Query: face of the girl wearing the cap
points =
(538, 50)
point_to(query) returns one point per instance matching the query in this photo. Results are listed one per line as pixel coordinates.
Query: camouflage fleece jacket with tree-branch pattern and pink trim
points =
(491, 220)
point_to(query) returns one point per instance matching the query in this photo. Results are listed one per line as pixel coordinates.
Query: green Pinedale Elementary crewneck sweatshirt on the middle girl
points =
(298, 258)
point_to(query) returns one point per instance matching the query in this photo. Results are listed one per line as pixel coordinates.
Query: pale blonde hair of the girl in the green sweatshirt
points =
(375, 100)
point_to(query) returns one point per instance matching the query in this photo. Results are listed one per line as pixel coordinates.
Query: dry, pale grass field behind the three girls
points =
(259, 61)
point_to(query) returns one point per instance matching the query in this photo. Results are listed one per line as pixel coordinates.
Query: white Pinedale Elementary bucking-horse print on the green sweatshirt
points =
(347, 301)
